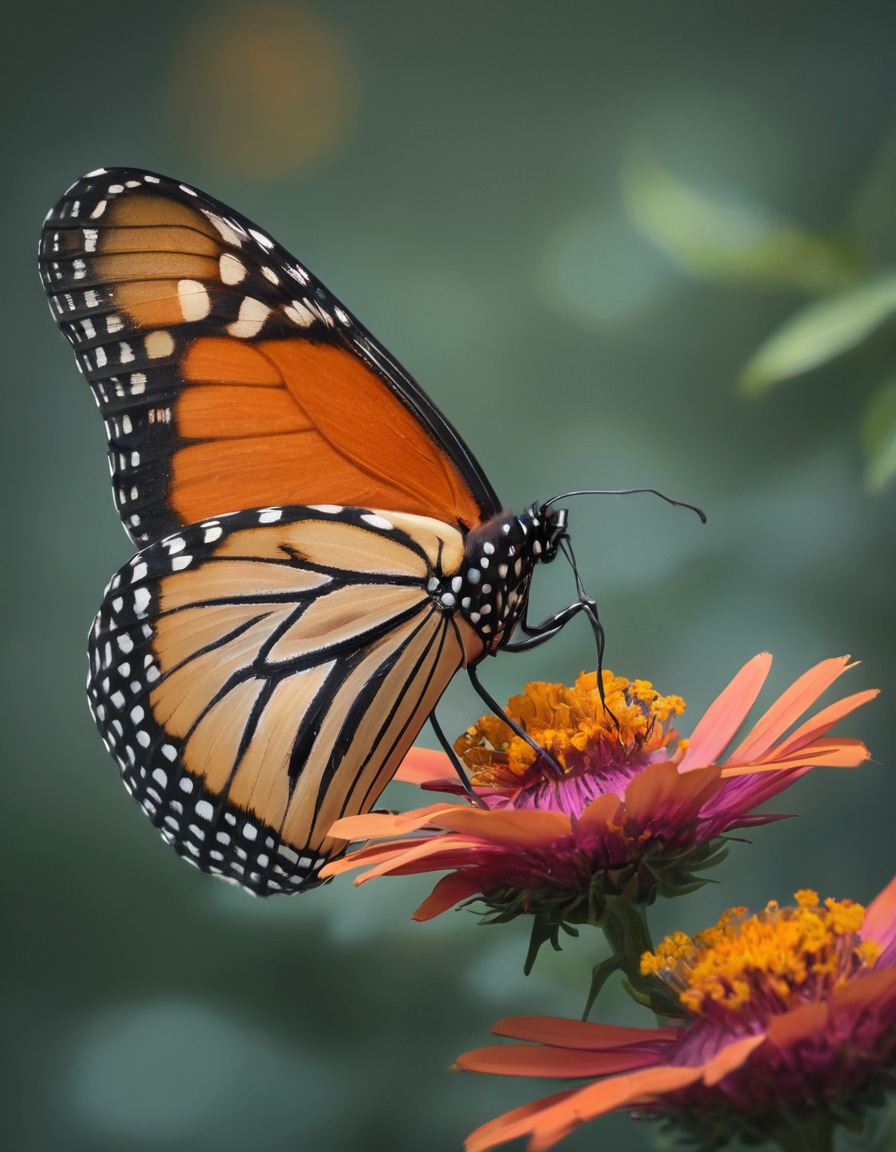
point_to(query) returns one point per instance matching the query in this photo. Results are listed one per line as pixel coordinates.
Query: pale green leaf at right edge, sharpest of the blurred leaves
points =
(821, 332)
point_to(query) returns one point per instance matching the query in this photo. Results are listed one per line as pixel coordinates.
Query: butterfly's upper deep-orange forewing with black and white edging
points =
(227, 375)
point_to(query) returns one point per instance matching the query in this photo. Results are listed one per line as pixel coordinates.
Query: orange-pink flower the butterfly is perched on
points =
(619, 807)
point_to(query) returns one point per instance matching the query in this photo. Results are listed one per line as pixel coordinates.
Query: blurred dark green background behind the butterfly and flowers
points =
(578, 226)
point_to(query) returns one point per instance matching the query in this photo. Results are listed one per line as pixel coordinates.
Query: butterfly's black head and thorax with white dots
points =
(492, 588)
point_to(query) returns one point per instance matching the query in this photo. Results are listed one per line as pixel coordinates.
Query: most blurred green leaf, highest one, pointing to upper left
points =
(738, 242)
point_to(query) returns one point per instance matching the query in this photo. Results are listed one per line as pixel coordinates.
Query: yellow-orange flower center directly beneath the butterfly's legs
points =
(573, 726)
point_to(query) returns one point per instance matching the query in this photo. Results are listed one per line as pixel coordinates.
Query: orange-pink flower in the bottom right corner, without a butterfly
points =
(791, 1027)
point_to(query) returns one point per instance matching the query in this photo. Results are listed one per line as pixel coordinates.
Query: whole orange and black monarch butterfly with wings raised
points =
(321, 550)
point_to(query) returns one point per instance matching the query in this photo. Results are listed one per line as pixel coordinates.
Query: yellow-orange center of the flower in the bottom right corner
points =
(765, 961)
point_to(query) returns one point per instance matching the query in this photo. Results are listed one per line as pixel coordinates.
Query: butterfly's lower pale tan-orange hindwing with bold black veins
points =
(260, 674)
